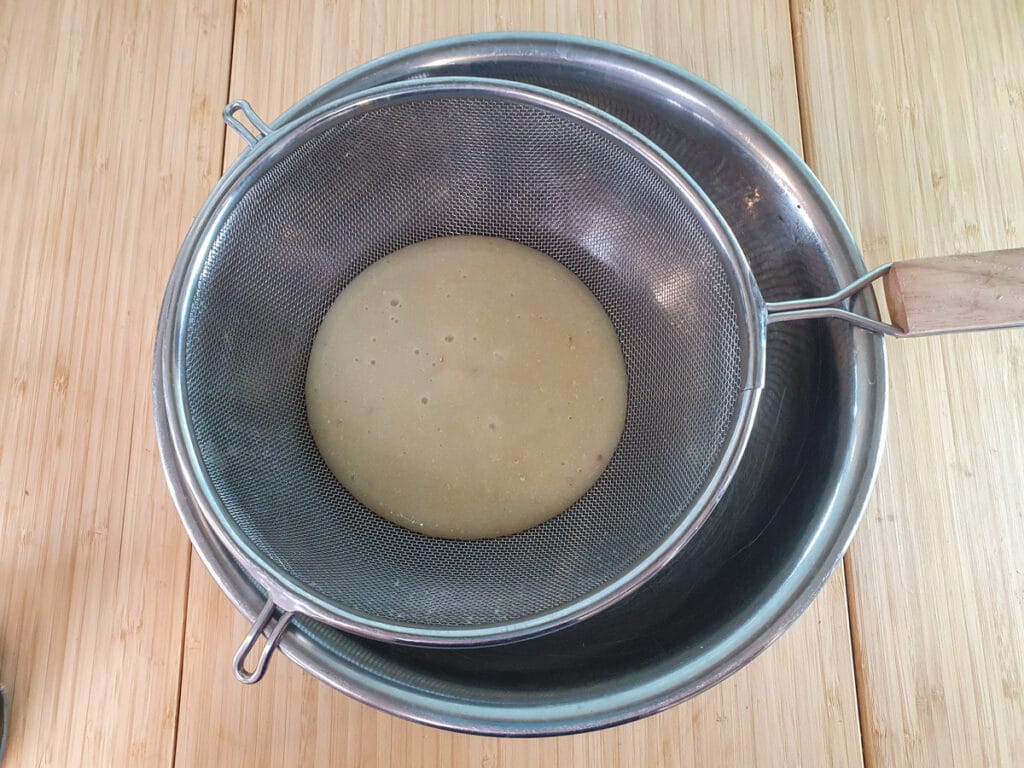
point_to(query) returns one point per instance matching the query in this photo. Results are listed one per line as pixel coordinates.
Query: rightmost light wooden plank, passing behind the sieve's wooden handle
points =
(916, 123)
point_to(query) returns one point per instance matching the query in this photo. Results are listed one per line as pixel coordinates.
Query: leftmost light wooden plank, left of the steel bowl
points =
(109, 119)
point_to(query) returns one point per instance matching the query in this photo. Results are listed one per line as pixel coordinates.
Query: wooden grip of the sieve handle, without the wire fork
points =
(971, 292)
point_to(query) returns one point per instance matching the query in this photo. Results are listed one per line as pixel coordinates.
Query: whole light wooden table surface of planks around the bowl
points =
(115, 643)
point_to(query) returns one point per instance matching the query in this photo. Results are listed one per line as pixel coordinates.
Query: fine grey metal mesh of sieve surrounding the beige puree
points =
(373, 182)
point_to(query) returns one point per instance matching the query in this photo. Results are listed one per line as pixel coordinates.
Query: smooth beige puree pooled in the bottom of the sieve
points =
(466, 388)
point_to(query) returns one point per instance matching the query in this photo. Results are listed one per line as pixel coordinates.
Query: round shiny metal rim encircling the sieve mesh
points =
(291, 594)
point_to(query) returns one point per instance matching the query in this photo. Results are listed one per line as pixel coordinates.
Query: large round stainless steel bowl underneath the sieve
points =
(796, 499)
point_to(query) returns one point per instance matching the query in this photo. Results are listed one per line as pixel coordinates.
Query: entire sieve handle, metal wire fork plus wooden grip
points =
(940, 295)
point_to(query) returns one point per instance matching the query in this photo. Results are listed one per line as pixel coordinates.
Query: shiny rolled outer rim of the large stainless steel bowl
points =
(848, 497)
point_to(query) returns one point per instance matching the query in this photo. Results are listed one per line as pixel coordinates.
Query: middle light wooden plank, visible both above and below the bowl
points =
(795, 706)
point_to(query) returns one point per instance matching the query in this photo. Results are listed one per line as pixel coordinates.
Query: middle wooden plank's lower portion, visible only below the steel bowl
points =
(794, 706)
